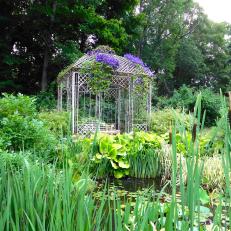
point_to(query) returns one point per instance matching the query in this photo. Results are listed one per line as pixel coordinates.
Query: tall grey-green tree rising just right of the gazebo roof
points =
(165, 27)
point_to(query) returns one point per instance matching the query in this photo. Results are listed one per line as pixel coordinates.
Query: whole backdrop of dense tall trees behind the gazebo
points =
(175, 38)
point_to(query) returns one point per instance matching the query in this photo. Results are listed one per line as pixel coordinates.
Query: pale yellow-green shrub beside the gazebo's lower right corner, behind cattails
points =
(161, 121)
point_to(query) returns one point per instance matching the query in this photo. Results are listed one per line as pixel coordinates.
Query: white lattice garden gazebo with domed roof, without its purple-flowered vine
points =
(118, 109)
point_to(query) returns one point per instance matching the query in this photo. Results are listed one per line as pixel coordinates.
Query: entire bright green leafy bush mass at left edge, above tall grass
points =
(19, 127)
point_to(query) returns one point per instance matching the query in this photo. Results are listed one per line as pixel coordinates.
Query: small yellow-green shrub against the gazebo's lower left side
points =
(57, 122)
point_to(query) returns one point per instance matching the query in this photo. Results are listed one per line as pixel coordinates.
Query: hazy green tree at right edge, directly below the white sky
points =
(210, 54)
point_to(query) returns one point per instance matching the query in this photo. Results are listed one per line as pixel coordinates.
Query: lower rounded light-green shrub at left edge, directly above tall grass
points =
(21, 133)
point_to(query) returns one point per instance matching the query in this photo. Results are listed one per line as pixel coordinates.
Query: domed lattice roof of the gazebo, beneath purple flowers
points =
(126, 67)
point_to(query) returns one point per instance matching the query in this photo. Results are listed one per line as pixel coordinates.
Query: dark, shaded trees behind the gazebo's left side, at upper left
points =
(40, 37)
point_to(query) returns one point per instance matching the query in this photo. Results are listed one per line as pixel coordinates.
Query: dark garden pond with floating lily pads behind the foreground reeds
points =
(152, 191)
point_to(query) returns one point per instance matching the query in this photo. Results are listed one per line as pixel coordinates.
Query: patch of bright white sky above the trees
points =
(217, 10)
